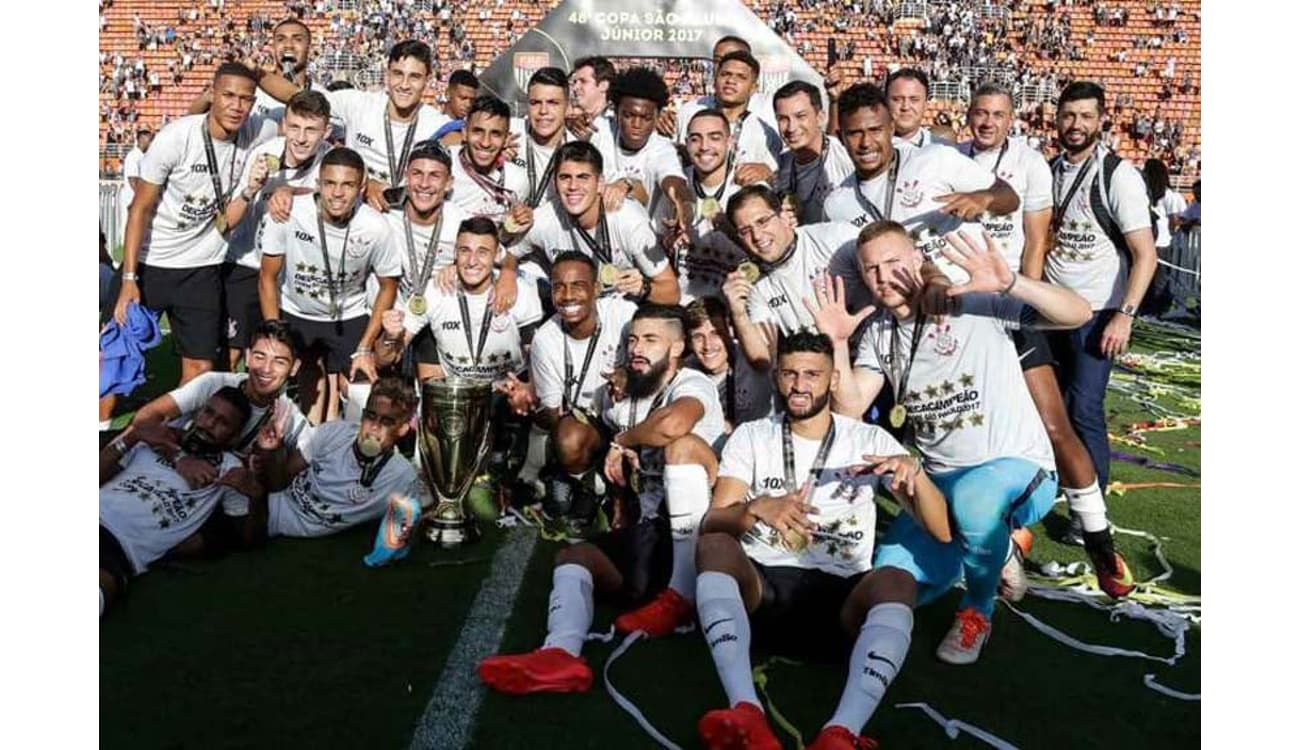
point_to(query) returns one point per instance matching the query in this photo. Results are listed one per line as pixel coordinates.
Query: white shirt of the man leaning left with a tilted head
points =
(779, 294)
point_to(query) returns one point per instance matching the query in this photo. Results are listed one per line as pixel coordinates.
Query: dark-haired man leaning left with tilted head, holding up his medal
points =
(788, 259)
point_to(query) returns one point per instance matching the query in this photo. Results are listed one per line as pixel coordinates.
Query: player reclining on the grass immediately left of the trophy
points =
(344, 474)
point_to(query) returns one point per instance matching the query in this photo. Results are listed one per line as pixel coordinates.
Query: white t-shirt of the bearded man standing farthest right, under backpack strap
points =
(1084, 258)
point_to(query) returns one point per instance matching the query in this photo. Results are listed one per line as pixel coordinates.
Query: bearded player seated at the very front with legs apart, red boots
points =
(786, 550)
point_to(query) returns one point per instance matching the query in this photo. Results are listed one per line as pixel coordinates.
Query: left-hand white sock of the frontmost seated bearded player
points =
(726, 627)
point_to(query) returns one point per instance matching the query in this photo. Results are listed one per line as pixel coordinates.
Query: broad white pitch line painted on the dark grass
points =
(449, 719)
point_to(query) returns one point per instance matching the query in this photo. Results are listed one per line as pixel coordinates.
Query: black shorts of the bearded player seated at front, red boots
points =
(801, 608)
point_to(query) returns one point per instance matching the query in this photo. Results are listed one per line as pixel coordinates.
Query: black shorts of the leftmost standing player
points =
(192, 300)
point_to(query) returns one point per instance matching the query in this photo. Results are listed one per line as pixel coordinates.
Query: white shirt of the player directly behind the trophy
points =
(502, 346)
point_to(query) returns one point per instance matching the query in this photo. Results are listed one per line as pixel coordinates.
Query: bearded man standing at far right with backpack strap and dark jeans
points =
(1104, 250)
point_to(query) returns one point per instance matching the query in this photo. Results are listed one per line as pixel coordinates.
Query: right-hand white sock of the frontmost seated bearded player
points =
(877, 658)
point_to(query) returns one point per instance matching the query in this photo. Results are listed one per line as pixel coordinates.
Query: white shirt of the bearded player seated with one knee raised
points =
(630, 413)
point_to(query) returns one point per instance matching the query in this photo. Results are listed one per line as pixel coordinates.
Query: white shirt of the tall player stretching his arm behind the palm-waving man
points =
(924, 175)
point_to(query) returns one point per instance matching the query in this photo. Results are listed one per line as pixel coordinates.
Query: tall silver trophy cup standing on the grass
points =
(456, 436)
